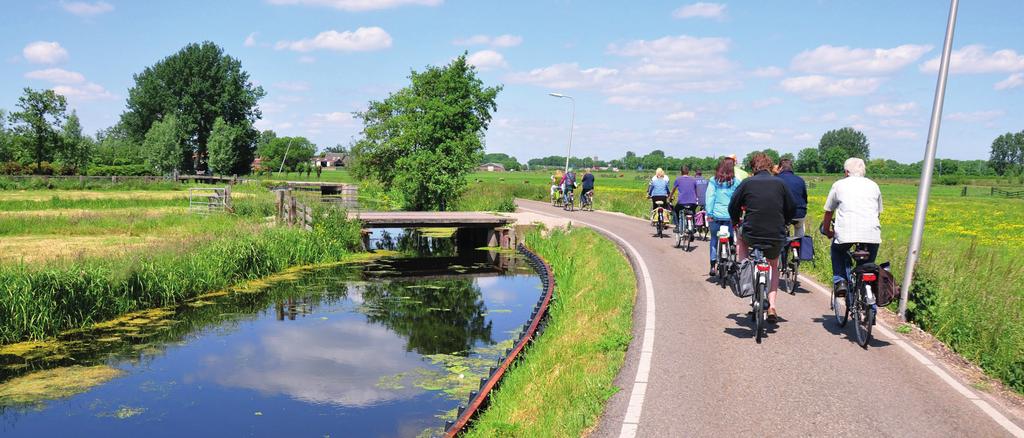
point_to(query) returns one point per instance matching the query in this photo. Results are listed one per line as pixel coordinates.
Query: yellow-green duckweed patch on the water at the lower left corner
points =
(55, 384)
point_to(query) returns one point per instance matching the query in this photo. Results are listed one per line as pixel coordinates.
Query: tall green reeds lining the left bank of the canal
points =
(37, 302)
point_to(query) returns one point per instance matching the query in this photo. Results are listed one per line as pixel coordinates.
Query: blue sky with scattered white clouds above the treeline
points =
(688, 78)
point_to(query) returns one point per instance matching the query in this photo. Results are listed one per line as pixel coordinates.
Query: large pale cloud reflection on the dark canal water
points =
(338, 364)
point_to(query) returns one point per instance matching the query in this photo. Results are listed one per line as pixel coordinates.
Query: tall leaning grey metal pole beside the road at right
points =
(929, 164)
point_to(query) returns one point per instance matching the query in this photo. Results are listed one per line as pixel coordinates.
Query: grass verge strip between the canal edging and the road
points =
(561, 386)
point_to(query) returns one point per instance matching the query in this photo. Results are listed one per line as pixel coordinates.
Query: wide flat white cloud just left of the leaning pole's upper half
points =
(854, 62)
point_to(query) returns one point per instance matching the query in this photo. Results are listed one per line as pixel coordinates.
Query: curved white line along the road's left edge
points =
(632, 421)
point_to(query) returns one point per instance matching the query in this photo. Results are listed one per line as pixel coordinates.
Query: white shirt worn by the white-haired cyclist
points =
(858, 203)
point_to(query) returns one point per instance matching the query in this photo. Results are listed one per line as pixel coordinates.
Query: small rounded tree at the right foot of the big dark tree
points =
(231, 148)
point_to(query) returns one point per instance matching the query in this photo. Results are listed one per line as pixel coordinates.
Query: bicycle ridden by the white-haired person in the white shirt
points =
(860, 300)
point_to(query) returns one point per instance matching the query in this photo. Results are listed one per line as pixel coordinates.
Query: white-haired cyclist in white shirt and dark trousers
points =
(856, 203)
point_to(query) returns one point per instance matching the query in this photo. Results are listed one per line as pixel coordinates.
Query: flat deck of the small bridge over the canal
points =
(431, 220)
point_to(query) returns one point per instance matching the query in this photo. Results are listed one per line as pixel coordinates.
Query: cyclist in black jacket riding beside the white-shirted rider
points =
(766, 208)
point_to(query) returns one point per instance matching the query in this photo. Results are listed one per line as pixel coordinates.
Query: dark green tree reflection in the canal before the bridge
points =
(439, 317)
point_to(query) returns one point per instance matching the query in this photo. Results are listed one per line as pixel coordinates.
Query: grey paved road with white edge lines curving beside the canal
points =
(709, 378)
